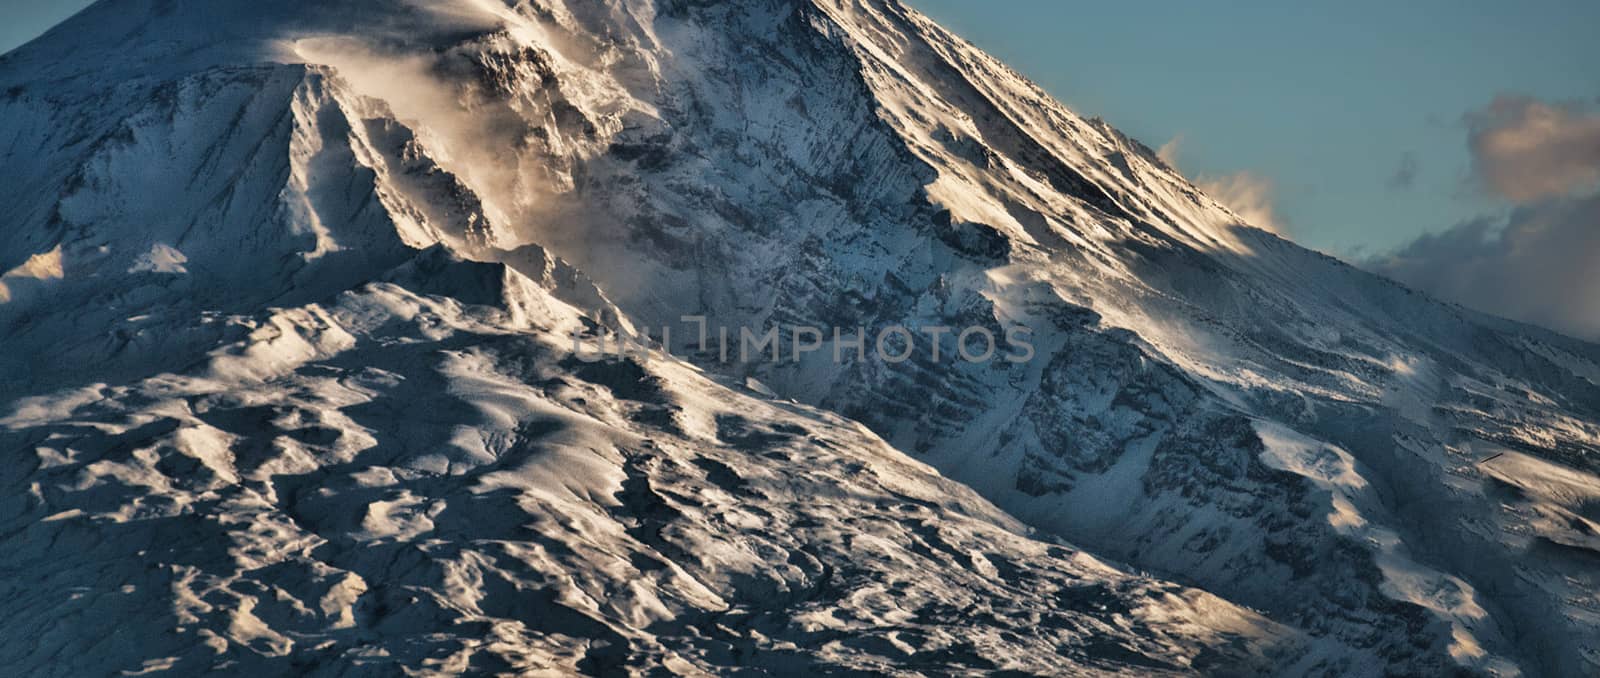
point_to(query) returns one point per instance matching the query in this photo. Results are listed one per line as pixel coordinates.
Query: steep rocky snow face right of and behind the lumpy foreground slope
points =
(1206, 399)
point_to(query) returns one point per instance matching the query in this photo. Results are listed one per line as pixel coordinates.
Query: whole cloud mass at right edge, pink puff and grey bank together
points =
(1540, 263)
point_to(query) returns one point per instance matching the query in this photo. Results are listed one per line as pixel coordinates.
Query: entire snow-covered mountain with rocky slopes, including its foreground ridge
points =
(290, 386)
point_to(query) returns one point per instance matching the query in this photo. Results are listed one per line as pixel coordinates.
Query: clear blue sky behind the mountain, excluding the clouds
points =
(1326, 102)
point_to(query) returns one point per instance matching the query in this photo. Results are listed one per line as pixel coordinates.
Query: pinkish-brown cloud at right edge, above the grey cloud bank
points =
(1526, 150)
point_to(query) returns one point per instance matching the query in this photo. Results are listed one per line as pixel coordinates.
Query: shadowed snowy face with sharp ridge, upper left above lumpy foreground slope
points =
(220, 191)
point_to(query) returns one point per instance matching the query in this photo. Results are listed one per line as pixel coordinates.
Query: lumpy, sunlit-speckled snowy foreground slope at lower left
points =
(418, 476)
